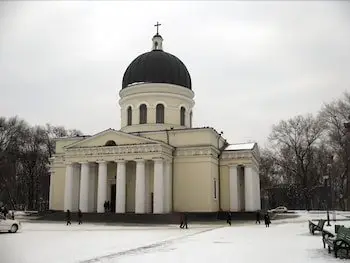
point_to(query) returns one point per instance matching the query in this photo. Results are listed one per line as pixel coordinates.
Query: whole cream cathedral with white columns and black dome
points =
(157, 162)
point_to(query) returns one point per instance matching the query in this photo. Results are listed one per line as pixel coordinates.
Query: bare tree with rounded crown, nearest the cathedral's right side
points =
(293, 143)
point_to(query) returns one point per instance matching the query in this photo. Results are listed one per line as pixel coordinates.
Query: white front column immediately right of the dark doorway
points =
(120, 197)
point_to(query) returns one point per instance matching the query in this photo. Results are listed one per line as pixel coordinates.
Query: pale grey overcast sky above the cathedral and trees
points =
(252, 63)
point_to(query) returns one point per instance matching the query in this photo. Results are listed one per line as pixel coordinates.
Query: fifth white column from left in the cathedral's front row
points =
(140, 188)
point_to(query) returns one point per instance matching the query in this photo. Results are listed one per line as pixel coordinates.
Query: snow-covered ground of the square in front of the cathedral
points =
(286, 240)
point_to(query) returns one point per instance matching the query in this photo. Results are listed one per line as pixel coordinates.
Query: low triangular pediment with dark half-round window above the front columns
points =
(108, 136)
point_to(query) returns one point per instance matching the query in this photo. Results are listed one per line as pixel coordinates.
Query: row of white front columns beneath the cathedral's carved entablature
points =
(93, 186)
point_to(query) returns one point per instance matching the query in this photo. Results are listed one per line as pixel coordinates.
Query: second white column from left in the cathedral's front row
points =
(84, 187)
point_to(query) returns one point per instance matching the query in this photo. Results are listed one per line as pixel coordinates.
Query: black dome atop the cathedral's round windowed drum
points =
(157, 66)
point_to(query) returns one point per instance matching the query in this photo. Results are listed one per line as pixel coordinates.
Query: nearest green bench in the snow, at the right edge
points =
(340, 242)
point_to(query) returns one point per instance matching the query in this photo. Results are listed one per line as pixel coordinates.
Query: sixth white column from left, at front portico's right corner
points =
(158, 187)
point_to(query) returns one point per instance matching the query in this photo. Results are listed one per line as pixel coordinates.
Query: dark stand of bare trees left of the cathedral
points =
(24, 161)
